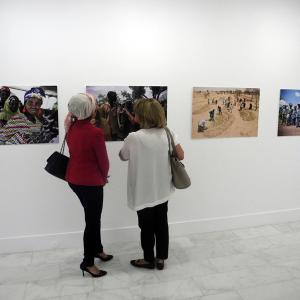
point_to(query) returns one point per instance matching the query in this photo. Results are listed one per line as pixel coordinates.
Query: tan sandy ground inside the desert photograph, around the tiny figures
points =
(228, 124)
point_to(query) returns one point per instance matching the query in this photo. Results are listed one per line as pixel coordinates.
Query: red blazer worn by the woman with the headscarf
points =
(88, 164)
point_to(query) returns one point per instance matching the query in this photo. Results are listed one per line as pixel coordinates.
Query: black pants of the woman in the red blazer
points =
(91, 198)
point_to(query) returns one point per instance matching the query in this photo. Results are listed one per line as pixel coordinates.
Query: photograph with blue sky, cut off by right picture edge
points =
(289, 113)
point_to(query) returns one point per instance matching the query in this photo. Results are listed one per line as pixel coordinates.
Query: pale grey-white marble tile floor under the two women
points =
(257, 263)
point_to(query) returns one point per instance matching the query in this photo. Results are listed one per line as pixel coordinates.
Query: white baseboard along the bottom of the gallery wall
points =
(124, 234)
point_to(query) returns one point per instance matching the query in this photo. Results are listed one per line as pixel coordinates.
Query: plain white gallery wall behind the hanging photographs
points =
(181, 44)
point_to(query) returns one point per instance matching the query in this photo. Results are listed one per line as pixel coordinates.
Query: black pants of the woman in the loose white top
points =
(153, 222)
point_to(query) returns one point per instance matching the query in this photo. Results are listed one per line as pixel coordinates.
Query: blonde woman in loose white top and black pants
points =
(149, 182)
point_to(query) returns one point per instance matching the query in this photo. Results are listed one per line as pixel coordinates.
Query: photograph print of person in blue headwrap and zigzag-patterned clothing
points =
(28, 115)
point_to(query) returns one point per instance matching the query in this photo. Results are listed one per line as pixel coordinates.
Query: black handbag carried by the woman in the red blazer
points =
(57, 162)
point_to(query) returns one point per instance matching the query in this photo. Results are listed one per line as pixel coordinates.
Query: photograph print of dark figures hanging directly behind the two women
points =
(115, 107)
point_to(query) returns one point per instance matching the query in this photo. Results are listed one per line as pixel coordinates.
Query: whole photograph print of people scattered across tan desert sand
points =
(225, 112)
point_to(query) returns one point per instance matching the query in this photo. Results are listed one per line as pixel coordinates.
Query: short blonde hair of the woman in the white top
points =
(150, 113)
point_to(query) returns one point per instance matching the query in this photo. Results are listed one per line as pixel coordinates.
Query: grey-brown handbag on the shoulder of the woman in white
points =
(180, 177)
